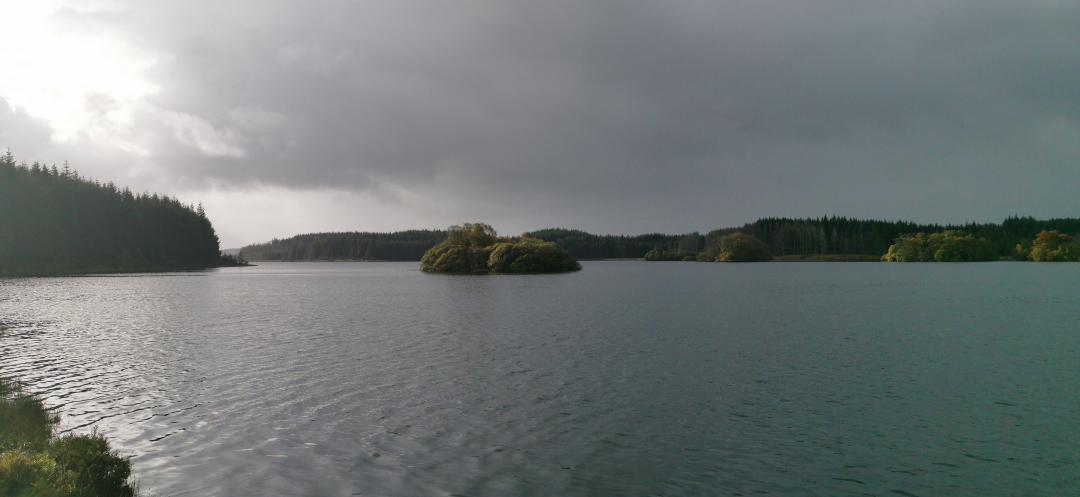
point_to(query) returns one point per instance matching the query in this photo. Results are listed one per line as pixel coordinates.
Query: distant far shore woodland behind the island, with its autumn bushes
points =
(832, 238)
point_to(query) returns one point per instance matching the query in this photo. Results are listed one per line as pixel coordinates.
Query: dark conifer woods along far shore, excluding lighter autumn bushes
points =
(785, 237)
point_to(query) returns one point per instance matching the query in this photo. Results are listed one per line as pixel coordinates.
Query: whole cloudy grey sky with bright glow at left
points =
(611, 116)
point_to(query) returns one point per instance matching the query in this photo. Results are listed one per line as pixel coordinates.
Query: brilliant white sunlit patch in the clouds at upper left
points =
(83, 80)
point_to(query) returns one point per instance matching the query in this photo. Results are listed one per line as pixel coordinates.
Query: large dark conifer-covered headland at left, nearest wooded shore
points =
(53, 222)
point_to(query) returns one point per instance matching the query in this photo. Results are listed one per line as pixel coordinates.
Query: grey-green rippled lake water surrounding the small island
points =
(626, 380)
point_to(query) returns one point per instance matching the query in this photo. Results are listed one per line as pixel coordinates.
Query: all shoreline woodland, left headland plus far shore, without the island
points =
(55, 222)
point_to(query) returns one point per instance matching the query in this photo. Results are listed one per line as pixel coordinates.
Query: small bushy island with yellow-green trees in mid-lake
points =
(477, 249)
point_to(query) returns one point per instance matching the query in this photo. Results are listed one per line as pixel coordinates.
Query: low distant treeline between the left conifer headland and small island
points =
(401, 246)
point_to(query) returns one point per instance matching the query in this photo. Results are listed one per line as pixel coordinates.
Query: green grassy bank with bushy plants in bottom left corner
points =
(35, 463)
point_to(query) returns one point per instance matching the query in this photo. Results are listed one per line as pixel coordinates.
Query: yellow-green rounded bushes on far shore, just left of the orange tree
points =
(946, 247)
